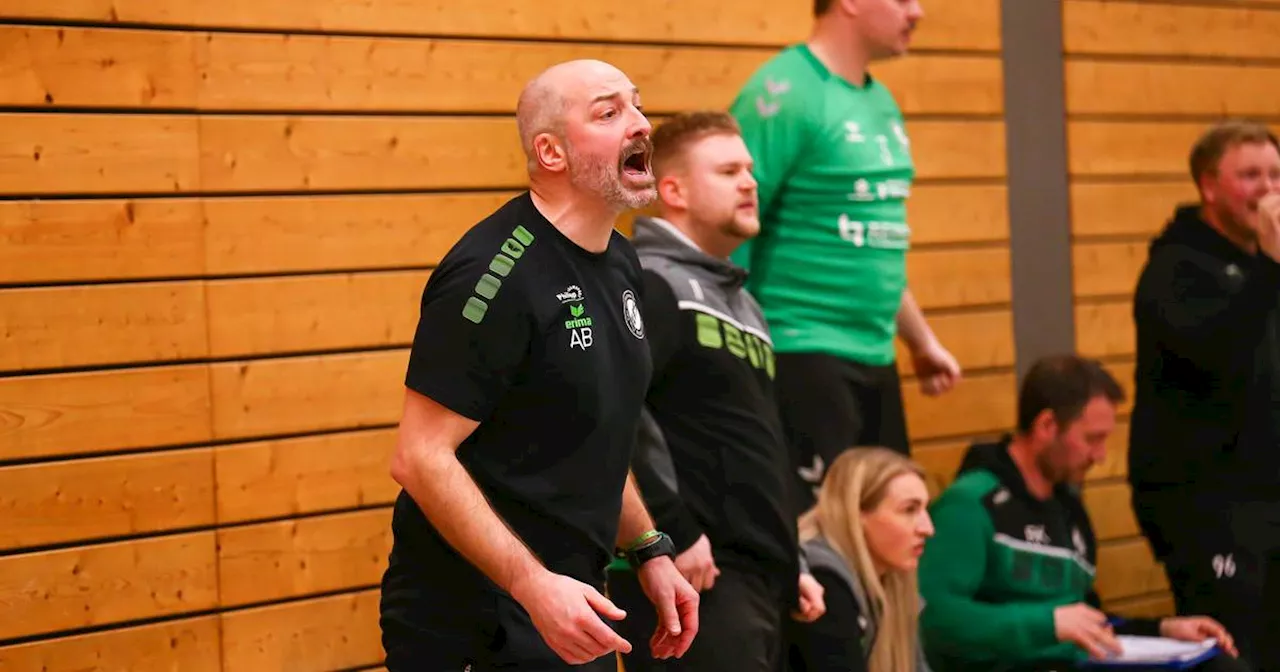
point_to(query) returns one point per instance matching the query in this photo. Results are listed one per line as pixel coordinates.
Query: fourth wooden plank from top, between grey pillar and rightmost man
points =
(1127, 209)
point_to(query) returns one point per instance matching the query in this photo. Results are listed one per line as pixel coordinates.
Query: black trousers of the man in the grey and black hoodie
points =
(739, 627)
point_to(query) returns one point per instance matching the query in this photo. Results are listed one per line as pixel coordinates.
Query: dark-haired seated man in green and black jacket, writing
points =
(1008, 578)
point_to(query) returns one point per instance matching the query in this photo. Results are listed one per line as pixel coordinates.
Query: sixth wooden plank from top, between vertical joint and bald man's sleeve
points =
(296, 395)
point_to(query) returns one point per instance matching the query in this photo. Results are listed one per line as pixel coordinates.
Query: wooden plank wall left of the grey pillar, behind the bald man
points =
(216, 222)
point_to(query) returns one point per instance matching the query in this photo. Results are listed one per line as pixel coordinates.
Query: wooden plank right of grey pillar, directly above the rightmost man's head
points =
(1162, 89)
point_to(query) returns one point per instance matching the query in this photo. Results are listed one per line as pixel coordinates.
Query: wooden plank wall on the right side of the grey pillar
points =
(1142, 81)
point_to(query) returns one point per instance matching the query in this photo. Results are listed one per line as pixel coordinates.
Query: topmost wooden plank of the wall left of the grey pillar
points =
(975, 25)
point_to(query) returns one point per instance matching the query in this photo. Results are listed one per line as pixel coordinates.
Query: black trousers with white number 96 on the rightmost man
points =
(1223, 560)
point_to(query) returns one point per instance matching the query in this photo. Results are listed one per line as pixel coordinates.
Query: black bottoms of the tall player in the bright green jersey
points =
(830, 405)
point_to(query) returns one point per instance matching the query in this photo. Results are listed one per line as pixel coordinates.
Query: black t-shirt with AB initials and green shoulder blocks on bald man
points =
(542, 342)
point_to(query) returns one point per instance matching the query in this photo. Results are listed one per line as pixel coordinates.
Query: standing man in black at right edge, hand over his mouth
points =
(1205, 436)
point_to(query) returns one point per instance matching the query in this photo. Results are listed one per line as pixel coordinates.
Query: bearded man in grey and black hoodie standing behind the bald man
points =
(710, 460)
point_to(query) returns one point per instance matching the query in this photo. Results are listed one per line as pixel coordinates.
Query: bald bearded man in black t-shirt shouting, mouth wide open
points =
(524, 387)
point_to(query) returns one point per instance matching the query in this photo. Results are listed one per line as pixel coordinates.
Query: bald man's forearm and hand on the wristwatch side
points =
(675, 601)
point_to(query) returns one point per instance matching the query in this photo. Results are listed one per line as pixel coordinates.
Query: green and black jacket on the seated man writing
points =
(999, 565)
